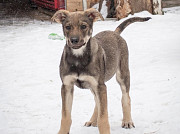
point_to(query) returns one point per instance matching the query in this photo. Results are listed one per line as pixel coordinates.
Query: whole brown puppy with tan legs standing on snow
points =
(88, 62)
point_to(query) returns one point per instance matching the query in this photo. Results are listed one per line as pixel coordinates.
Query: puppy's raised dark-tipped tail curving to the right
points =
(127, 22)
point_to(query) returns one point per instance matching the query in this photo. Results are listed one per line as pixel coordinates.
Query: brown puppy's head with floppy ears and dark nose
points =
(77, 26)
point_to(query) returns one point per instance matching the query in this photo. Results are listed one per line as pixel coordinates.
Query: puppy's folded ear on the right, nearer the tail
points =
(93, 14)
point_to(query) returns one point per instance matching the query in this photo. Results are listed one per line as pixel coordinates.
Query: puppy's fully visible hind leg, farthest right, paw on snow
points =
(123, 78)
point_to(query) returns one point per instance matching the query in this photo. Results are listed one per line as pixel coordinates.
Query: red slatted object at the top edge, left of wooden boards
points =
(50, 4)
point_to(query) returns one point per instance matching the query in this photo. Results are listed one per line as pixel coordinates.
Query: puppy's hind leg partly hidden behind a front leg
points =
(93, 120)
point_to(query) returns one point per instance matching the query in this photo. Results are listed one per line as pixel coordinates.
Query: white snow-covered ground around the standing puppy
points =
(30, 100)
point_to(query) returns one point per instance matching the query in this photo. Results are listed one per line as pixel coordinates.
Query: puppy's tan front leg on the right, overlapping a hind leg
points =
(101, 101)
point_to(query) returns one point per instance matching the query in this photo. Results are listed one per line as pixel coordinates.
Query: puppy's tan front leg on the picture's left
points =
(67, 98)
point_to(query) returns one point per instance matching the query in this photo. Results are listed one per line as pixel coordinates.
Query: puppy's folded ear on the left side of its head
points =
(60, 16)
